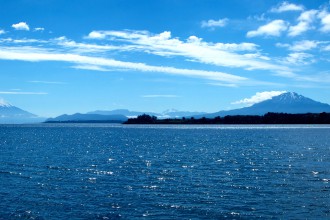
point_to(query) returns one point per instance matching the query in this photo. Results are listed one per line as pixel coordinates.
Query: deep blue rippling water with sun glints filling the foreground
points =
(164, 172)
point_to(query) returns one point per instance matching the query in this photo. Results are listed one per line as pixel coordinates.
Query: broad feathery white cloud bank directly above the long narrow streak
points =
(193, 49)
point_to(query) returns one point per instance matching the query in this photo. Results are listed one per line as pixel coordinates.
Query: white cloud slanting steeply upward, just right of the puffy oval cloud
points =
(305, 20)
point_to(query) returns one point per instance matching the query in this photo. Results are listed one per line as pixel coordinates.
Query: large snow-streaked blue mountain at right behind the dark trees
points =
(289, 102)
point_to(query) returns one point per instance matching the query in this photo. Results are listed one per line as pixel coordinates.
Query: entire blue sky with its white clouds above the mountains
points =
(72, 56)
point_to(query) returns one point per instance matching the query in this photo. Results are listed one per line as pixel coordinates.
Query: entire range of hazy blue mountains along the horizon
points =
(289, 102)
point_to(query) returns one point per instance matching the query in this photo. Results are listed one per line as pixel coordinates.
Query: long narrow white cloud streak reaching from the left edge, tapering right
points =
(38, 55)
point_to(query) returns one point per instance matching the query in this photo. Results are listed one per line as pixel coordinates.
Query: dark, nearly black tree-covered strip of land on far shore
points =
(269, 118)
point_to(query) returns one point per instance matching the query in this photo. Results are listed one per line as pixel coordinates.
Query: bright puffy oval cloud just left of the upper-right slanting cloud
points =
(274, 28)
